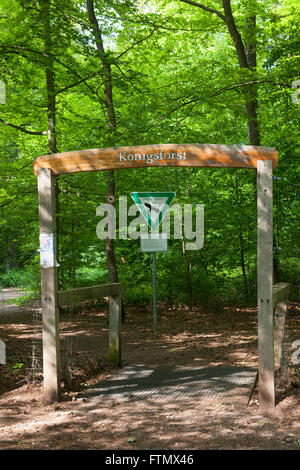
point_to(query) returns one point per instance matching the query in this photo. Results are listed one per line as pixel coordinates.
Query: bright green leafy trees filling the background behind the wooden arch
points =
(88, 74)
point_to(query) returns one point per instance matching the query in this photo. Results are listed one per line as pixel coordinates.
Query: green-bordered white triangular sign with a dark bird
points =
(153, 206)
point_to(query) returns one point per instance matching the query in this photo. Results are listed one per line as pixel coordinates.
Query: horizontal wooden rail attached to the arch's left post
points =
(72, 296)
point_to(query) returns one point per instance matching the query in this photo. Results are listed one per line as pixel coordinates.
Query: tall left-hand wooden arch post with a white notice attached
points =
(51, 349)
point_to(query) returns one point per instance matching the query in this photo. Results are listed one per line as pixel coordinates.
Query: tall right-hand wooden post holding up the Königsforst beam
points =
(265, 284)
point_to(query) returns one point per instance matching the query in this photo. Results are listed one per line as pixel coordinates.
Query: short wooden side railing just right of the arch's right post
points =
(280, 302)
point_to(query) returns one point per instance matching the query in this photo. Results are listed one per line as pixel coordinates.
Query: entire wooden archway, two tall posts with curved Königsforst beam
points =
(261, 159)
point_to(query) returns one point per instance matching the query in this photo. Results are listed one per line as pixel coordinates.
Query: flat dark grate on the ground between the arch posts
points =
(173, 383)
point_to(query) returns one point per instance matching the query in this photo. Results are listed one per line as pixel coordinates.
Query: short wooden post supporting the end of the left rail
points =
(114, 354)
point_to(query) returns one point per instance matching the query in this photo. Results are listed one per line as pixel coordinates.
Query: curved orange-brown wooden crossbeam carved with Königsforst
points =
(163, 155)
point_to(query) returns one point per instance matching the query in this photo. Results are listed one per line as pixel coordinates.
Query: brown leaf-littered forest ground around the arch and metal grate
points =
(187, 337)
